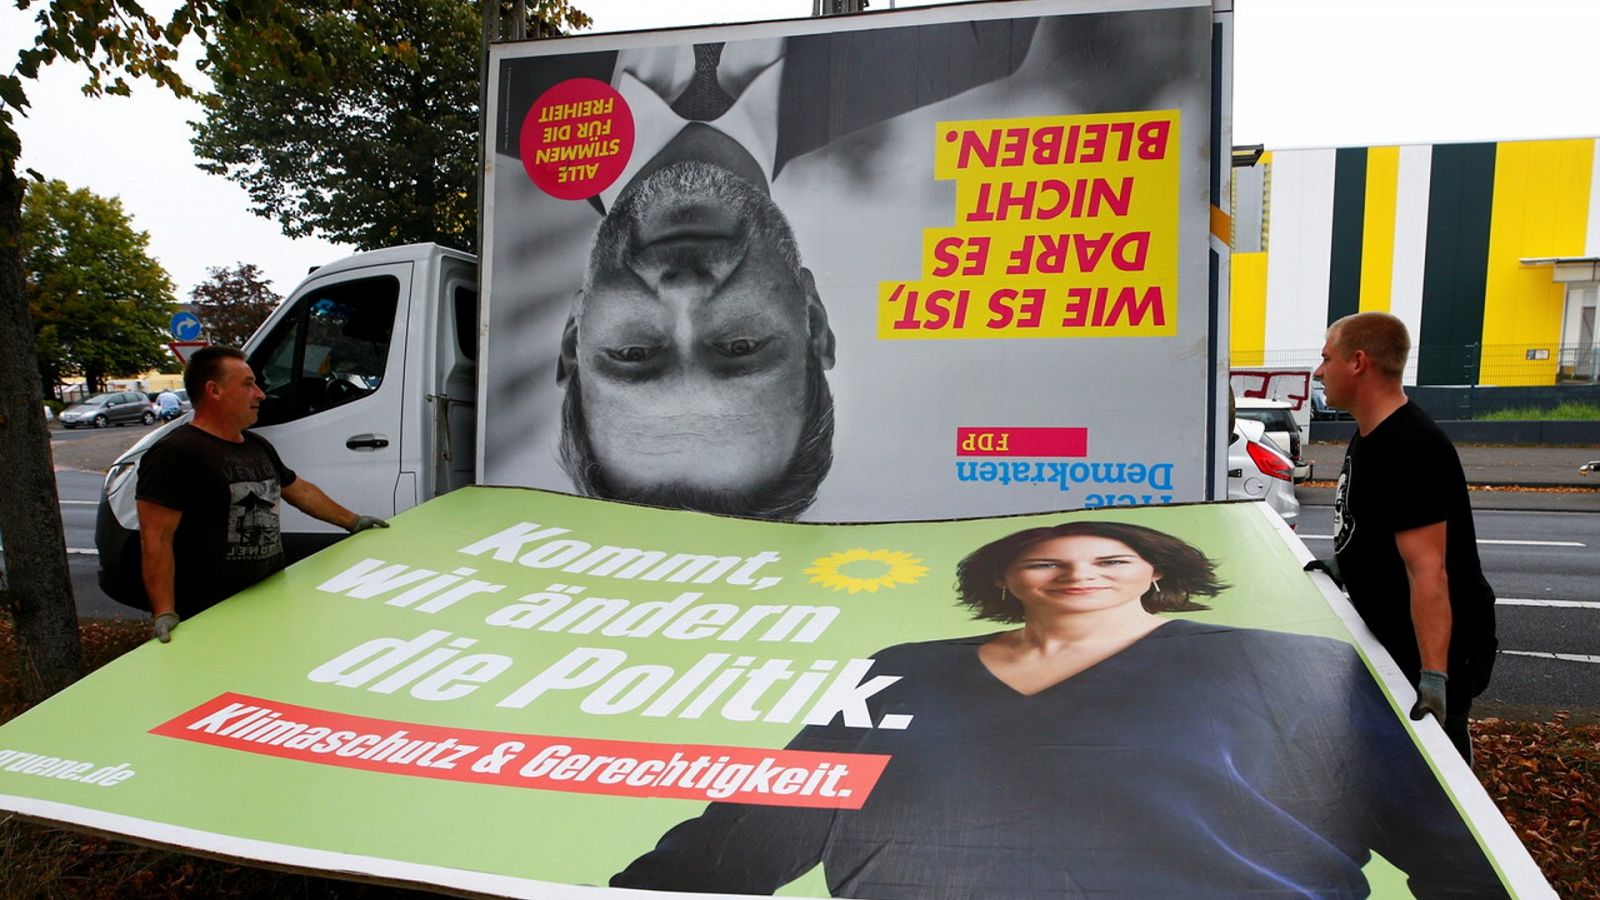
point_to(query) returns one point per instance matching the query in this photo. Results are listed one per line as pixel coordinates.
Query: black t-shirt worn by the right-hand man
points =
(1406, 475)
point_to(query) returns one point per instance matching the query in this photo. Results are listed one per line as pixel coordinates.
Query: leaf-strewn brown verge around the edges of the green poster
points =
(1543, 776)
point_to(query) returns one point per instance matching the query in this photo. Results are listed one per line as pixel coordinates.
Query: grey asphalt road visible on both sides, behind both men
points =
(1543, 565)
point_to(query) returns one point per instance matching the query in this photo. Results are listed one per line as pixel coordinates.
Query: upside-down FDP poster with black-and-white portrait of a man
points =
(935, 262)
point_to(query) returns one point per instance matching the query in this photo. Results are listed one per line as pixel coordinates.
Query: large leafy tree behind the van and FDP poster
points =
(366, 137)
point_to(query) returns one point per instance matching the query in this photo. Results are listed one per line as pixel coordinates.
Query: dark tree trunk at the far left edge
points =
(39, 595)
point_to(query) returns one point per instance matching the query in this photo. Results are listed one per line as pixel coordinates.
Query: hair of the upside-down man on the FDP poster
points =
(782, 499)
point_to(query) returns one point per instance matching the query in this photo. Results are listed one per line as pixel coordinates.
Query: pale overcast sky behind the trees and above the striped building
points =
(1306, 74)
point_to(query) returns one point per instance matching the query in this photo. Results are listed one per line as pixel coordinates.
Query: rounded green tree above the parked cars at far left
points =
(100, 303)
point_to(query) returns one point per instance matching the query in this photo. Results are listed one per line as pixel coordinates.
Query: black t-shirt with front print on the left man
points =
(228, 494)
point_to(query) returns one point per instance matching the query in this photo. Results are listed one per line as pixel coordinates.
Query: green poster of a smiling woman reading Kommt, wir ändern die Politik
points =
(532, 694)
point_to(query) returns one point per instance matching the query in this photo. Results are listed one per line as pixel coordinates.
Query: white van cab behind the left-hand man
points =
(370, 377)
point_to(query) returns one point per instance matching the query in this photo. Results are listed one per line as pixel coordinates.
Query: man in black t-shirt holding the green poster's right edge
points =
(1404, 531)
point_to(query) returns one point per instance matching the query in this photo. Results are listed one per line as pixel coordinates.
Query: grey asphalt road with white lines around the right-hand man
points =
(1545, 569)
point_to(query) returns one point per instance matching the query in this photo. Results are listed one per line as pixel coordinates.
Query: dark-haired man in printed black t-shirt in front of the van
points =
(209, 497)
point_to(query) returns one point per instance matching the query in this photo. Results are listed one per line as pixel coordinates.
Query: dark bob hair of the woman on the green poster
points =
(1185, 571)
